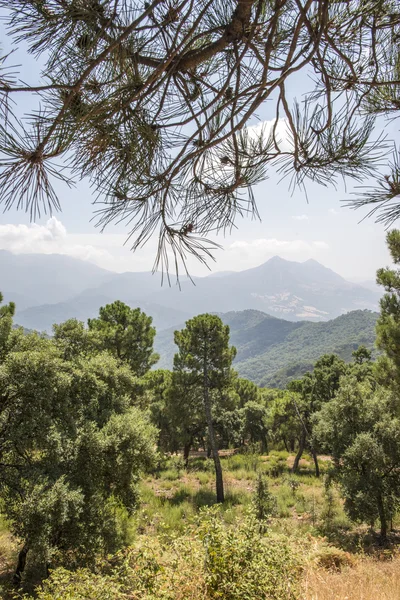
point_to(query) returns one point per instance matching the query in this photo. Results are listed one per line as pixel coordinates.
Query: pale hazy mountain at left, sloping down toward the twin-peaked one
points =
(50, 288)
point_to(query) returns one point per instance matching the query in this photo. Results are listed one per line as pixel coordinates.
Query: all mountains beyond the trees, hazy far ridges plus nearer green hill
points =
(271, 350)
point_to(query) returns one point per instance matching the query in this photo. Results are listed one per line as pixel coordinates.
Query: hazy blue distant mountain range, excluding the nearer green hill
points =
(51, 288)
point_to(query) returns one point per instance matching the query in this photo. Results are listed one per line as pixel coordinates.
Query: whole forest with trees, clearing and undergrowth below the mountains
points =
(121, 480)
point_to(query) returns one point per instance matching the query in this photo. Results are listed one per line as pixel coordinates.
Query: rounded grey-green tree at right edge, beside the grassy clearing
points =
(362, 431)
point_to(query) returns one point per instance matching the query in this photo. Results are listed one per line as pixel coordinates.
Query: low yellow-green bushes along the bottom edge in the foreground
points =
(216, 562)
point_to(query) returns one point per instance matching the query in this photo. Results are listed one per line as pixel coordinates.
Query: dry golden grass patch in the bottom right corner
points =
(369, 579)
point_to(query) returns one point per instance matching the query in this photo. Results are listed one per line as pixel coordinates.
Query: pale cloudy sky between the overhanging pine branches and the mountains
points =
(291, 226)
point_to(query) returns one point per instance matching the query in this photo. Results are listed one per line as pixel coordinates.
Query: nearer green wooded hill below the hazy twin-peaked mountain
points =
(273, 351)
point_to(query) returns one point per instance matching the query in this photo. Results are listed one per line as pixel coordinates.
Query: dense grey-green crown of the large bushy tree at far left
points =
(72, 447)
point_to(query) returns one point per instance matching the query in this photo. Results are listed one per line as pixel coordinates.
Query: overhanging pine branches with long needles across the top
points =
(152, 101)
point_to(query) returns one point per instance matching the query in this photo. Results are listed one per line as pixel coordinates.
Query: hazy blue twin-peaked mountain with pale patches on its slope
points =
(282, 288)
